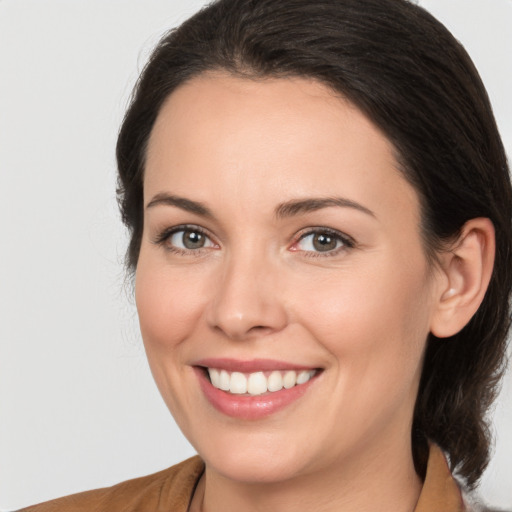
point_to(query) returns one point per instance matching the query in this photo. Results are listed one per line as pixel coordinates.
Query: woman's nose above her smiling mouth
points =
(247, 302)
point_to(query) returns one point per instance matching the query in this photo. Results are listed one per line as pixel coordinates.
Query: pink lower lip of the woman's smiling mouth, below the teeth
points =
(250, 407)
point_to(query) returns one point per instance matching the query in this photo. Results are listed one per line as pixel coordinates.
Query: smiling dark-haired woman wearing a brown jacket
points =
(319, 206)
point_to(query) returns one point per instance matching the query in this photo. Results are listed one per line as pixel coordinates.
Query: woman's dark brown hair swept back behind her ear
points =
(408, 74)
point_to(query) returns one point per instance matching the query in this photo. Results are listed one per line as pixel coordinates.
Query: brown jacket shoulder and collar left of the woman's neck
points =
(157, 492)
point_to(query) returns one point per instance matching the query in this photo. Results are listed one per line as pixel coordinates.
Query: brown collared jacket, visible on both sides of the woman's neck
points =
(171, 490)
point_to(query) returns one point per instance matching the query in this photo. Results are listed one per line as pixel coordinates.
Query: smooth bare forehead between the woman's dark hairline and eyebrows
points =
(265, 139)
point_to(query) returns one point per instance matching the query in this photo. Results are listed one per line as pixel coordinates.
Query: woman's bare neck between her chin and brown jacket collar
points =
(373, 483)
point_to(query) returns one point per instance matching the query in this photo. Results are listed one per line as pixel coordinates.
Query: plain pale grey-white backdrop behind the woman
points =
(78, 407)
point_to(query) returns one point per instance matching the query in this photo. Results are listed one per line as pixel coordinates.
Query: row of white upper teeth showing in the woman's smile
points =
(257, 383)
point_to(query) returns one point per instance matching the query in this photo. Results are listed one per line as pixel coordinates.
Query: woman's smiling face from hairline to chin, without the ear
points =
(280, 237)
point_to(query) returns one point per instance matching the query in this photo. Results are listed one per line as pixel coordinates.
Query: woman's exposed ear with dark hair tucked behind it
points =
(465, 272)
